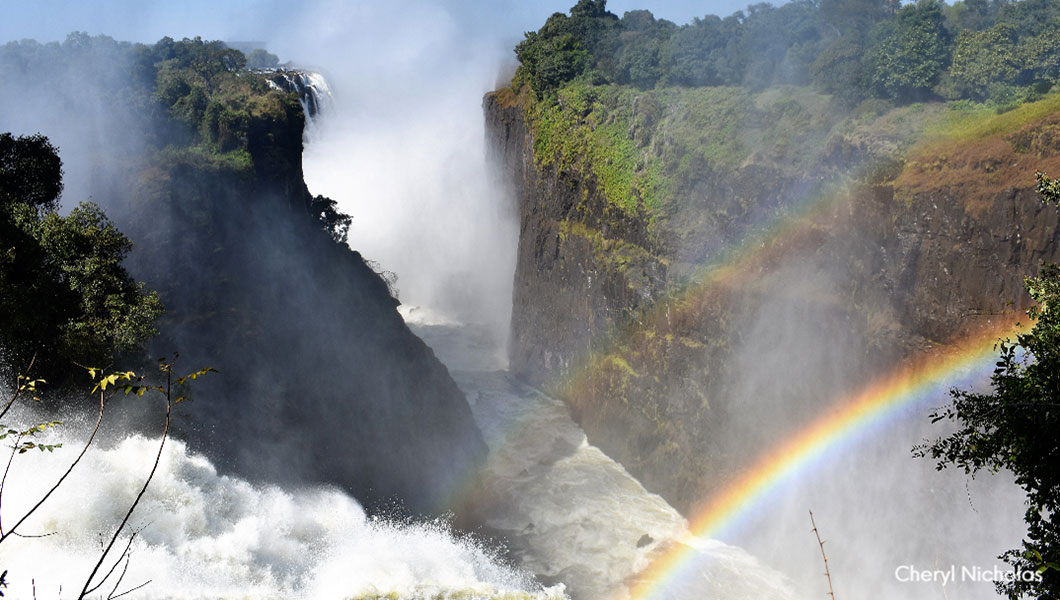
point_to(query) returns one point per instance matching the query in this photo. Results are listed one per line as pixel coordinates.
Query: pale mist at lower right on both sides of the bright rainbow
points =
(878, 508)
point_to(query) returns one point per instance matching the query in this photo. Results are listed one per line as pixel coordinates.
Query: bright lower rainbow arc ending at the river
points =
(882, 399)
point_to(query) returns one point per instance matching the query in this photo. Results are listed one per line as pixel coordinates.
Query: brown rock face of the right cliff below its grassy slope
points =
(761, 292)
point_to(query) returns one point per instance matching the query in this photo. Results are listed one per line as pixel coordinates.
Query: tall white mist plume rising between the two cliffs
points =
(403, 151)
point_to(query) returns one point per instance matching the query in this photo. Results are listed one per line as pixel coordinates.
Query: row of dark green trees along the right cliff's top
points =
(1002, 51)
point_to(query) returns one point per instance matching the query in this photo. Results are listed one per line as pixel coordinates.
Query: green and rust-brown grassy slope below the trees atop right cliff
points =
(655, 154)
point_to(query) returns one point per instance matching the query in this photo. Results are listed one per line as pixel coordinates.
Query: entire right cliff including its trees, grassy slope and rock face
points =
(841, 140)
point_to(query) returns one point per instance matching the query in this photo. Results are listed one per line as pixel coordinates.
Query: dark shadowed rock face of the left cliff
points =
(322, 381)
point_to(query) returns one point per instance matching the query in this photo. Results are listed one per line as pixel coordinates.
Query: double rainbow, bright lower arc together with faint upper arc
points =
(850, 420)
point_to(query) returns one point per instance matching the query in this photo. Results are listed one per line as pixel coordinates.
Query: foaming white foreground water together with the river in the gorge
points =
(577, 523)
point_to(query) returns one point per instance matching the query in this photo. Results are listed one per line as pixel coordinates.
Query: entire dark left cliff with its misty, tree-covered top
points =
(199, 162)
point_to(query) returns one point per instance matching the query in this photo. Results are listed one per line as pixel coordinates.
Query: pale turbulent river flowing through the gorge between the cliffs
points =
(571, 514)
